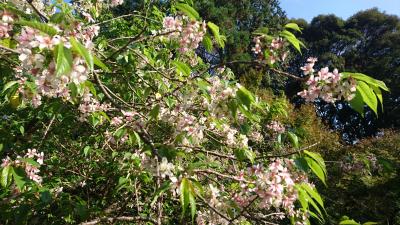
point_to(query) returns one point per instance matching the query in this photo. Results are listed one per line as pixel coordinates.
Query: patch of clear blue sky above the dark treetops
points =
(307, 9)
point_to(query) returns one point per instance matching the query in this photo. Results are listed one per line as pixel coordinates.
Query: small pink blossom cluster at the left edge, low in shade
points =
(32, 171)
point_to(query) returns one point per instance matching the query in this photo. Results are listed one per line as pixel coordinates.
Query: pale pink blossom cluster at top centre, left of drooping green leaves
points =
(188, 33)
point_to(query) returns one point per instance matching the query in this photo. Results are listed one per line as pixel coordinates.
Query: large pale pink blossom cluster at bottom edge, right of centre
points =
(274, 187)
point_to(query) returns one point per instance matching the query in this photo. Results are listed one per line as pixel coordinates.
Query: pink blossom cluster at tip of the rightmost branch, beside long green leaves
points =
(329, 86)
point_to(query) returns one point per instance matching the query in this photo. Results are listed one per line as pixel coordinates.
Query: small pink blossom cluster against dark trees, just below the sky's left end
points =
(275, 50)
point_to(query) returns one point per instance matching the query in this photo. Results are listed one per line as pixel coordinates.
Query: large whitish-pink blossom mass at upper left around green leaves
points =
(35, 47)
